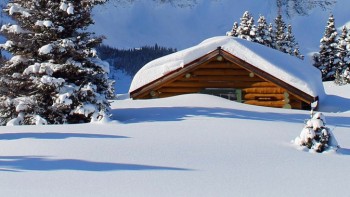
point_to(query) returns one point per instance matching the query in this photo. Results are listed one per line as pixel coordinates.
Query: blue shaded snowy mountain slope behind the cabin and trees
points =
(148, 22)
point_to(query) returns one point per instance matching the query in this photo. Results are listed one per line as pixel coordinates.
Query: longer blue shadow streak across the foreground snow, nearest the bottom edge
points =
(37, 163)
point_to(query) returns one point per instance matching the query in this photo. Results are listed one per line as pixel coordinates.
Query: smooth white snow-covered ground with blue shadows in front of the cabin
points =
(189, 145)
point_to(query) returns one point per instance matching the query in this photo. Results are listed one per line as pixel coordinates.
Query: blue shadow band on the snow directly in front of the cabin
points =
(153, 114)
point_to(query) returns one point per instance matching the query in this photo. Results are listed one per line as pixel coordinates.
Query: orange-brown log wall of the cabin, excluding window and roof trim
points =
(224, 74)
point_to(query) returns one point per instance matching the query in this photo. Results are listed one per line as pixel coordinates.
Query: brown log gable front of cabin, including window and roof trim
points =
(221, 73)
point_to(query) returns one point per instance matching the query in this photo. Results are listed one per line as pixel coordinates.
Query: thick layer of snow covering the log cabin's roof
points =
(289, 69)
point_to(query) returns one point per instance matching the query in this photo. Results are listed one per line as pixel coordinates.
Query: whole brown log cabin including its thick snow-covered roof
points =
(235, 69)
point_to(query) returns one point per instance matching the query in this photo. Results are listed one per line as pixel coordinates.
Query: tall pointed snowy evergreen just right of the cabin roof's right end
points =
(326, 59)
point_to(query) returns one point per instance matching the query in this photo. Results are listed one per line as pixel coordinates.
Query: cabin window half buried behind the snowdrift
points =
(227, 93)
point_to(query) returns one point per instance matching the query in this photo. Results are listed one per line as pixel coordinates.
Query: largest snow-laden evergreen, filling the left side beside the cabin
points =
(54, 76)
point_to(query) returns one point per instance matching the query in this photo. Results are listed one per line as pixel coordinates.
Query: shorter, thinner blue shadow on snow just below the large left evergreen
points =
(16, 136)
